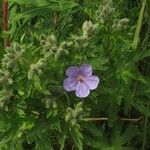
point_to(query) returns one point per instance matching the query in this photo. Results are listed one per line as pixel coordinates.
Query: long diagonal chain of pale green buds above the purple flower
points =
(52, 48)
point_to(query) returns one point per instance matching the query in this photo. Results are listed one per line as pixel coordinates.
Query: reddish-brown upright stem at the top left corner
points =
(5, 22)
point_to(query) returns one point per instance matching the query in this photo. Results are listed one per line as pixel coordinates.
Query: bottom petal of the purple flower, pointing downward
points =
(82, 90)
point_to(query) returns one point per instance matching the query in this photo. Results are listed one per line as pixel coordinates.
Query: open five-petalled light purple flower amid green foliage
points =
(81, 80)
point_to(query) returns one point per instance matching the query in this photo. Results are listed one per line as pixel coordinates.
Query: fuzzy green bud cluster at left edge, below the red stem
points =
(14, 53)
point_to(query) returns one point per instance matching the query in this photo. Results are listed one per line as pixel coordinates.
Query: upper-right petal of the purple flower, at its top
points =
(86, 70)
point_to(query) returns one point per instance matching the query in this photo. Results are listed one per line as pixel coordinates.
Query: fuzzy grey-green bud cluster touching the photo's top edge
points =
(105, 10)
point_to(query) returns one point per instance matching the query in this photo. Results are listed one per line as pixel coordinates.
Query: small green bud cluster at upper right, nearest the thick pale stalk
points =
(120, 24)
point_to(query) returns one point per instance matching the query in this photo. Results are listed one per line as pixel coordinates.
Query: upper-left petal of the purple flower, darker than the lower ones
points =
(72, 71)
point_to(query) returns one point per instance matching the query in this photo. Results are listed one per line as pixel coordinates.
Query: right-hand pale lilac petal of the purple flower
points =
(92, 82)
